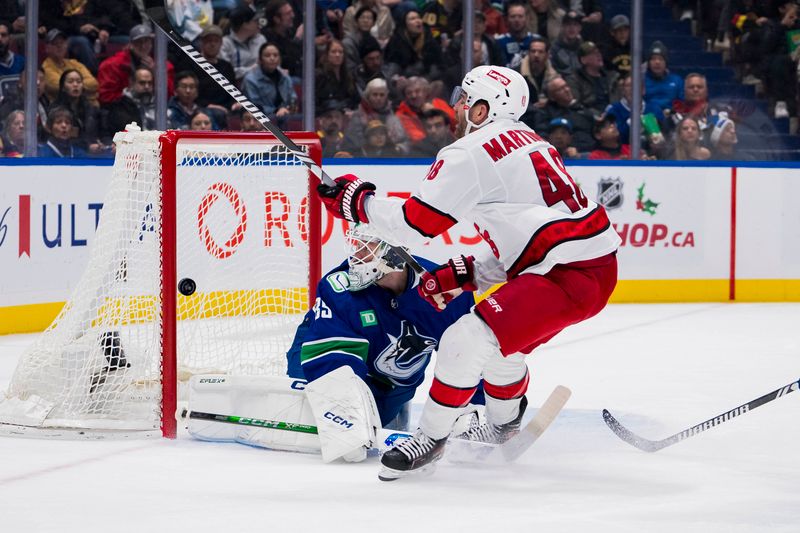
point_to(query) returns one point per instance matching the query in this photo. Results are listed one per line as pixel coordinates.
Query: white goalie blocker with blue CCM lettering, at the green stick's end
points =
(347, 417)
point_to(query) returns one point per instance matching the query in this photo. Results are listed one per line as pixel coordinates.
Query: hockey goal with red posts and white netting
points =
(205, 260)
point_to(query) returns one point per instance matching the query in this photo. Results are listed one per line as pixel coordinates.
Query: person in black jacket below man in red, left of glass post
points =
(136, 104)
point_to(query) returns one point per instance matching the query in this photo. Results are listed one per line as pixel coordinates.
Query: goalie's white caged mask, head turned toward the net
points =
(369, 257)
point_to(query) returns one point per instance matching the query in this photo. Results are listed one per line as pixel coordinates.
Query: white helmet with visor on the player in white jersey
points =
(503, 89)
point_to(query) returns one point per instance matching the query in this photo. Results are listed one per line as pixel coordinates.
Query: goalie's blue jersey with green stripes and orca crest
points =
(386, 339)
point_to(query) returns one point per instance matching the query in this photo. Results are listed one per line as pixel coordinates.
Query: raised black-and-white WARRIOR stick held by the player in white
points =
(157, 12)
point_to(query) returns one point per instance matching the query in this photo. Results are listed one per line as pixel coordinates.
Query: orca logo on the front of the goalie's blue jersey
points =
(406, 355)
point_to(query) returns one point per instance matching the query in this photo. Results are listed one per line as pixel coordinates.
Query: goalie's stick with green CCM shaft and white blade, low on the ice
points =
(458, 450)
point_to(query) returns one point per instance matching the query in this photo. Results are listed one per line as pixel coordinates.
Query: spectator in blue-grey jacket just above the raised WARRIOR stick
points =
(269, 87)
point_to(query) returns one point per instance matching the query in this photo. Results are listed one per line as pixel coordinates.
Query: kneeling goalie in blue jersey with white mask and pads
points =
(356, 361)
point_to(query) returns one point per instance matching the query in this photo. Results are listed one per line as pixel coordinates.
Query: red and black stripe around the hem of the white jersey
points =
(558, 232)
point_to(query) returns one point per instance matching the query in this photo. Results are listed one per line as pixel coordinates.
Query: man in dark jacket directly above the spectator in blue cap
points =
(563, 105)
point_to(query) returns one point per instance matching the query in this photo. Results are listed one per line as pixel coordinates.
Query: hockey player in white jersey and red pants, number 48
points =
(555, 248)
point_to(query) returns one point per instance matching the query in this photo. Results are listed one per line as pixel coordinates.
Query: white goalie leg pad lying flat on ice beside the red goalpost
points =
(264, 398)
